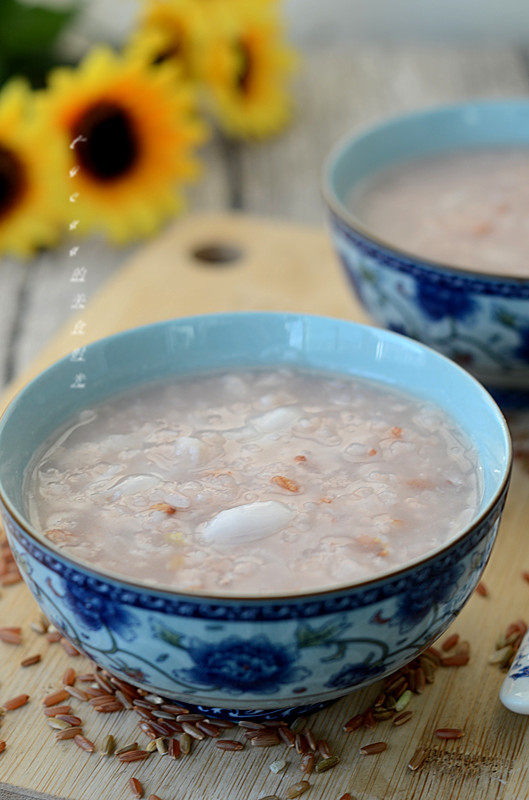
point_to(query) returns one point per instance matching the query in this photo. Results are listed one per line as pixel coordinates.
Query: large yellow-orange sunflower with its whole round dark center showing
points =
(130, 128)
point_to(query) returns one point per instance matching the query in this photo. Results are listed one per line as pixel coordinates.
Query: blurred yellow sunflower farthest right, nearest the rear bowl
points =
(245, 75)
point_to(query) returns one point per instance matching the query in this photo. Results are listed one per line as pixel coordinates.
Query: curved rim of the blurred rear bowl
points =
(347, 217)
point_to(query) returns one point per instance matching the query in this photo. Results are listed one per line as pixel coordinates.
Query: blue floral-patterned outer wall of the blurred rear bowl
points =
(481, 324)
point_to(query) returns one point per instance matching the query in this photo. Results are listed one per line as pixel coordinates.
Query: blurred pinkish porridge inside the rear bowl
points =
(468, 208)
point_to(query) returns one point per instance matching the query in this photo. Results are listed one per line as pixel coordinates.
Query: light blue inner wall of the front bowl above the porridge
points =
(195, 344)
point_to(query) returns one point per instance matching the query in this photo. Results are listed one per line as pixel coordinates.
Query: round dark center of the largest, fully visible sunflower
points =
(109, 147)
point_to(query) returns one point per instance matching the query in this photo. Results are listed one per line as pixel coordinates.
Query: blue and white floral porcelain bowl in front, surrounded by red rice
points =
(251, 656)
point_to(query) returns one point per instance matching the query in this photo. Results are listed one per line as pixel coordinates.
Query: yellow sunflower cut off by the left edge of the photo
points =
(31, 175)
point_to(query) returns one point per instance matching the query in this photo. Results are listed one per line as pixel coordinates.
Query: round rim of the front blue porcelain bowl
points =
(343, 588)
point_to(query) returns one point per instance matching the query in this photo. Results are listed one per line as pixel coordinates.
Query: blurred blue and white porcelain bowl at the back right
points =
(479, 320)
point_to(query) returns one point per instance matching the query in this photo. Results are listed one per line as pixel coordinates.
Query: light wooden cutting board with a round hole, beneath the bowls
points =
(281, 267)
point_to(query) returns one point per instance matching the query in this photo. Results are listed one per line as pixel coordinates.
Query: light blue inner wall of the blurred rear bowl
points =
(477, 124)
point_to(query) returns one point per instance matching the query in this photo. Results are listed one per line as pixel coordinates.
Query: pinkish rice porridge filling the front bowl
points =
(255, 482)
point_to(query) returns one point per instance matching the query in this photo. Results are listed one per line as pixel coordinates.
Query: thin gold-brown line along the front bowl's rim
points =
(167, 590)
